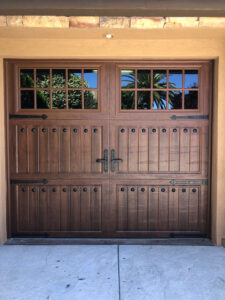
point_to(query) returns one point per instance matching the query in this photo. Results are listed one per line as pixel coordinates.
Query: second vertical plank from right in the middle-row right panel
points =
(184, 149)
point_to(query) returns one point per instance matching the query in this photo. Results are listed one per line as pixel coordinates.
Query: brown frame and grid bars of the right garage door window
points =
(167, 90)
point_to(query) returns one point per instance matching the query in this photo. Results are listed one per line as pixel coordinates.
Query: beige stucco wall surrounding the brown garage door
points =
(127, 44)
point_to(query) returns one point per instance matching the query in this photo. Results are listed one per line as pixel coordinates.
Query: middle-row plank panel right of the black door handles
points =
(162, 150)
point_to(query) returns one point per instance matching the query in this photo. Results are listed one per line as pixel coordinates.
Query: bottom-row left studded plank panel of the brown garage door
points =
(55, 208)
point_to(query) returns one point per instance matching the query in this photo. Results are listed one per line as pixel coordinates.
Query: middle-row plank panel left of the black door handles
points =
(58, 149)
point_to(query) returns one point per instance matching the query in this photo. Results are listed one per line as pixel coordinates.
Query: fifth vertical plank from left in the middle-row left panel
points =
(65, 149)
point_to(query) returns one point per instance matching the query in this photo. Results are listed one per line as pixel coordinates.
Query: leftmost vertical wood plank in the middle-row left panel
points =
(22, 149)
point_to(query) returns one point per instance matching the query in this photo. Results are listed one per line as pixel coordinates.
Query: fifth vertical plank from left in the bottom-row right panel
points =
(163, 208)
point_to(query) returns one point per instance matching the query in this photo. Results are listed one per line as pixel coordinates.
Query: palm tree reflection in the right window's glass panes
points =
(159, 81)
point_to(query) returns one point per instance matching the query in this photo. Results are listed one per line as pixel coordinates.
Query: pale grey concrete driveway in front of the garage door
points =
(111, 272)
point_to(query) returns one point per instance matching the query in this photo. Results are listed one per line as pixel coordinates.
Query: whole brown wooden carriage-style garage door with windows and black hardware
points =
(108, 149)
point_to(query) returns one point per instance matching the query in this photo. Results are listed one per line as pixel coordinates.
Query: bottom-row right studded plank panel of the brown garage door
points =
(160, 208)
